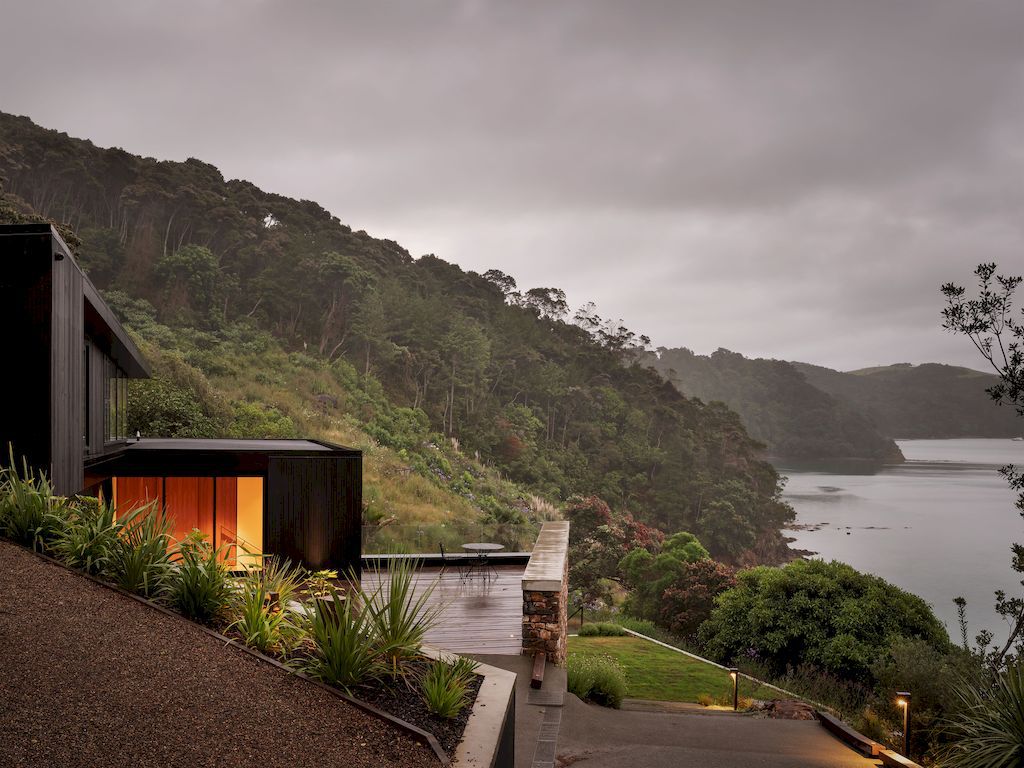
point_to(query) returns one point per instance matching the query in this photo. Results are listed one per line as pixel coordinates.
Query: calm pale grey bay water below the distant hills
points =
(940, 526)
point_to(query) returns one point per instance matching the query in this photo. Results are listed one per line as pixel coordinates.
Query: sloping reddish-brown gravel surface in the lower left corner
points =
(92, 678)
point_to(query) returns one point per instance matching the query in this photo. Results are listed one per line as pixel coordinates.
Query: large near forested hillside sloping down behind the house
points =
(219, 277)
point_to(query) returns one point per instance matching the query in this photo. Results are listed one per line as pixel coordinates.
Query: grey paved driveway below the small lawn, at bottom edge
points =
(596, 738)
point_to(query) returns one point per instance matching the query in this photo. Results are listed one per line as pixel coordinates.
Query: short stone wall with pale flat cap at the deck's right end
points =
(545, 594)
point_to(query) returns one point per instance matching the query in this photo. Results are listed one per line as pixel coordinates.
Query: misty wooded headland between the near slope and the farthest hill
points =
(778, 405)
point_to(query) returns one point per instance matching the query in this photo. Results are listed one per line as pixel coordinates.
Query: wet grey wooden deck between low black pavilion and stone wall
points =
(481, 616)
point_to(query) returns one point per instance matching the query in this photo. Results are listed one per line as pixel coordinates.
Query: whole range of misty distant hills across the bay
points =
(801, 411)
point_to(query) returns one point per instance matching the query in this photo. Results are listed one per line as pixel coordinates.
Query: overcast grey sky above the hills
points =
(785, 179)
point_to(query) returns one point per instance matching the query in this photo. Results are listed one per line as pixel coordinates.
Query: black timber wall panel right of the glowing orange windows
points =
(314, 510)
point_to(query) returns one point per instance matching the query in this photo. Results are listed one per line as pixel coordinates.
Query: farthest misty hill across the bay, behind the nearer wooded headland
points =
(919, 402)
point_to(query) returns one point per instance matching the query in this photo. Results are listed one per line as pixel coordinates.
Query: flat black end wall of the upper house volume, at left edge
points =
(26, 295)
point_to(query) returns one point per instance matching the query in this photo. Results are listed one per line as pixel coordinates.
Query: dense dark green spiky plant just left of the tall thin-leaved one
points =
(344, 654)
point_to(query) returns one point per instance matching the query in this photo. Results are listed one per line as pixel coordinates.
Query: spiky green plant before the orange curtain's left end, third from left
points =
(140, 560)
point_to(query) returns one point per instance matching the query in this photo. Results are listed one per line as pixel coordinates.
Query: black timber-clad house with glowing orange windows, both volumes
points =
(68, 365)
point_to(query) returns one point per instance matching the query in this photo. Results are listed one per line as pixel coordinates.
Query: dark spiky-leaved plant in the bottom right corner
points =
(990, 731)
